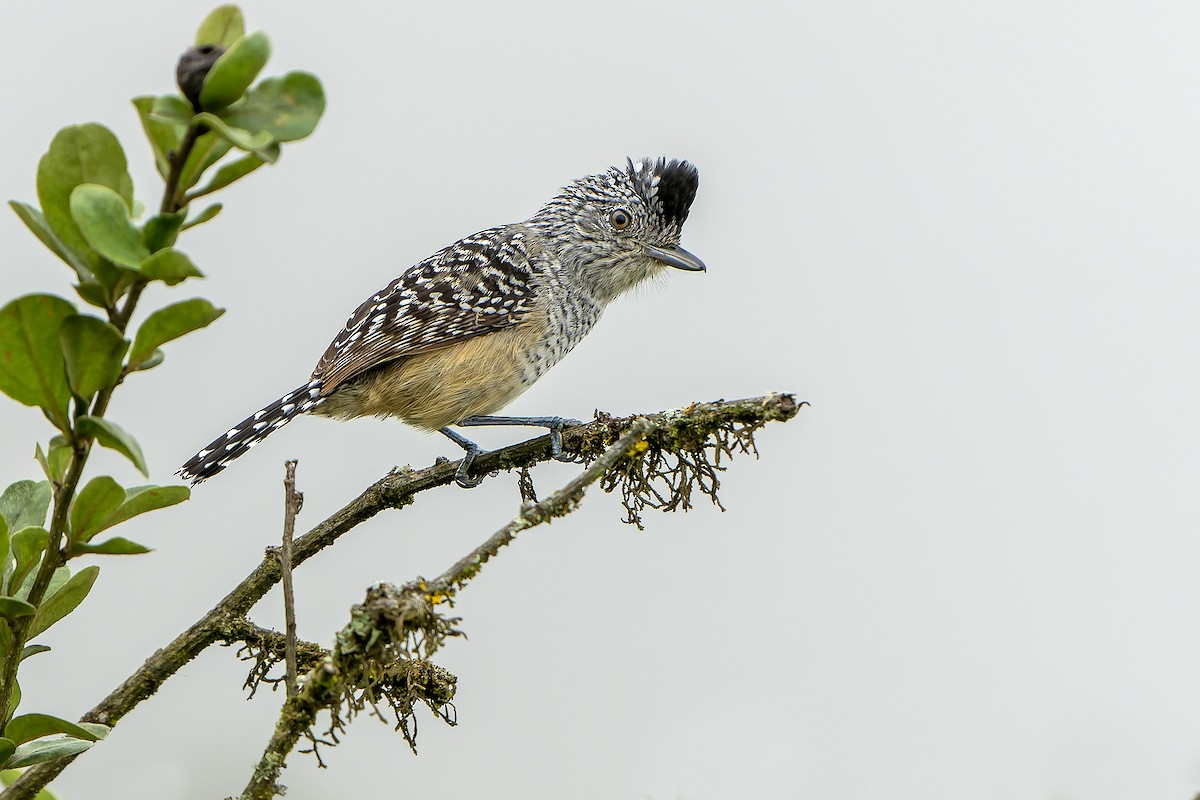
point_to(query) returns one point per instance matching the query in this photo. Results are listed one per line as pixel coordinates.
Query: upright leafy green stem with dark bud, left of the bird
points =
(69, 364)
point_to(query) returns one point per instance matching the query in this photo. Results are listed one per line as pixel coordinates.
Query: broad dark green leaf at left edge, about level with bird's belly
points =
(32, 369)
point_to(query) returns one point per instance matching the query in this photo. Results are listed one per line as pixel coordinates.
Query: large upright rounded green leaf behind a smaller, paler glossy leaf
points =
(80, 154)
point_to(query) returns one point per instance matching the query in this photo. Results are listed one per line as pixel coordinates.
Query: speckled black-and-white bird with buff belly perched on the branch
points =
(459, 336)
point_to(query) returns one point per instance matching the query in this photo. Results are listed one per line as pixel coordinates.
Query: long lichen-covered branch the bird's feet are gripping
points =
(682, 448)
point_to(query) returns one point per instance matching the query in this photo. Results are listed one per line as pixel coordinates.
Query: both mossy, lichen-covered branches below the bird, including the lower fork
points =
(616, 448)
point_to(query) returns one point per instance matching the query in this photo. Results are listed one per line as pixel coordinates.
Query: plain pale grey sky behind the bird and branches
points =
(964, 232)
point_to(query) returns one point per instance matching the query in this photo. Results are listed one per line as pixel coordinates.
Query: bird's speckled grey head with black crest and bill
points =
(623, 225)
